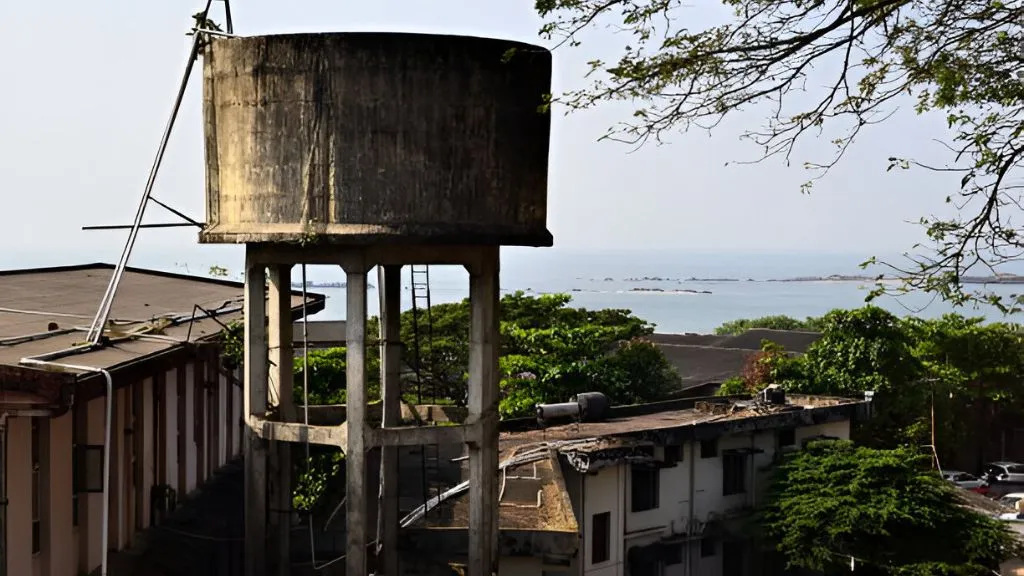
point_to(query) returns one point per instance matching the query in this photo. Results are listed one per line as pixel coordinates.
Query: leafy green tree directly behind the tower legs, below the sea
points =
(549, 352)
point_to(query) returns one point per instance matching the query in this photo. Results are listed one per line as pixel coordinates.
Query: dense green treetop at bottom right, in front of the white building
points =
(884, 508)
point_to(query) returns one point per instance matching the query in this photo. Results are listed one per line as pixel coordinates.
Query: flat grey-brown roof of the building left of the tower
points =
(162, 304)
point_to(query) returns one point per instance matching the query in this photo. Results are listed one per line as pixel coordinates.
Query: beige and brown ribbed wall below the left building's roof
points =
(69, 551)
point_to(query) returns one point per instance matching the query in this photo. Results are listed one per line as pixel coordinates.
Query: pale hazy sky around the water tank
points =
(89, 88)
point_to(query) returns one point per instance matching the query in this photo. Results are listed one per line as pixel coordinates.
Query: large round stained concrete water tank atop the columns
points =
(376, 138)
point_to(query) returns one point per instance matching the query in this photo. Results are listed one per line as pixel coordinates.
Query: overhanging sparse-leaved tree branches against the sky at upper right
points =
(961, 58)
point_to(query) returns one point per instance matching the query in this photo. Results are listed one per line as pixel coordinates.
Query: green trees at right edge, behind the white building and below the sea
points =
(972, 374)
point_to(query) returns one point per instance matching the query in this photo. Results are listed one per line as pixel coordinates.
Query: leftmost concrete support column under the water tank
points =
(255, 402)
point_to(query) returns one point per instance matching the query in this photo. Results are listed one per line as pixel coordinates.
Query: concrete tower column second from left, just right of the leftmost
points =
(280, 392)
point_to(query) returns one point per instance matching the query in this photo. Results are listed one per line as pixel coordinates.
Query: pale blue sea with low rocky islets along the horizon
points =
(677, 293)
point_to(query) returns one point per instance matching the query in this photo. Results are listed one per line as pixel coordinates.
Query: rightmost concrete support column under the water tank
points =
(484, 413)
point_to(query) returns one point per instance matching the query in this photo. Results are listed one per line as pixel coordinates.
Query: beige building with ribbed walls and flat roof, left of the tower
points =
(177, 409)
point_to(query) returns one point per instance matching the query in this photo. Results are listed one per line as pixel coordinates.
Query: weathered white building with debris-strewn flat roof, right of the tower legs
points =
(658, 489)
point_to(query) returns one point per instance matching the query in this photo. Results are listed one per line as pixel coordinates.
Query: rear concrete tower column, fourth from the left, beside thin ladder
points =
(388, 533)
